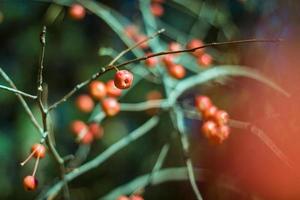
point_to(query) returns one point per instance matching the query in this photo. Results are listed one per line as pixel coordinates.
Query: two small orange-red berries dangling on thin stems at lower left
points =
(38, 151)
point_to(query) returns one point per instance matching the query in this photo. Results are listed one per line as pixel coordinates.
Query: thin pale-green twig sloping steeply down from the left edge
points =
(23, 102)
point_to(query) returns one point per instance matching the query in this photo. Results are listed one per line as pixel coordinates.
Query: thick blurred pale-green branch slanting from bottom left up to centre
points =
(97, 161)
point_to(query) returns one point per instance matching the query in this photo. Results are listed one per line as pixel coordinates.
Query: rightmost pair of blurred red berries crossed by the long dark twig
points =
(203, 58)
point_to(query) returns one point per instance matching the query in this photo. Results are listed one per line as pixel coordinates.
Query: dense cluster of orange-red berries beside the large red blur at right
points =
(215, 122)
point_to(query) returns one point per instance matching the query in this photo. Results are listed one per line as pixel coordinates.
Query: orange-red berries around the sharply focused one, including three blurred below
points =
(107, 94)
